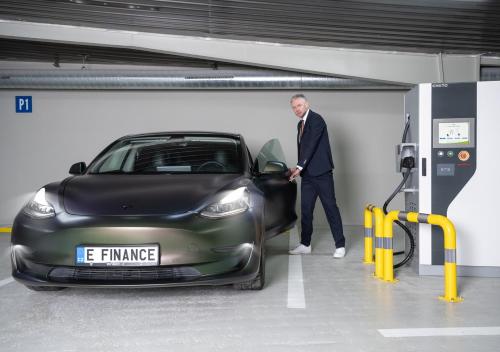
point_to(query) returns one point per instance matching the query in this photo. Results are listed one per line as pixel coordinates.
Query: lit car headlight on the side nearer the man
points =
(235, 202)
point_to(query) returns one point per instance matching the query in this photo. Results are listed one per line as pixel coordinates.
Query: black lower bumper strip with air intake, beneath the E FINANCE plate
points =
(231, 270)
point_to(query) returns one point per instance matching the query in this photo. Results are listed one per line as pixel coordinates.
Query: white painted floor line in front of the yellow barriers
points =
(423, 332)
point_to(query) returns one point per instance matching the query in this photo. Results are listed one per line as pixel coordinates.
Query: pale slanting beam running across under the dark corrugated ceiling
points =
(386, 66)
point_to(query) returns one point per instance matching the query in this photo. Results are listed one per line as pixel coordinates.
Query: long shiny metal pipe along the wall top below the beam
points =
(178, 80)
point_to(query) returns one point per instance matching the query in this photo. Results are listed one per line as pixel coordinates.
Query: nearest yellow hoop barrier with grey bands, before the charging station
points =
(450, 248)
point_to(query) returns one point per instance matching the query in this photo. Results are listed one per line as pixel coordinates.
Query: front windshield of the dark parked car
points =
(171, 154)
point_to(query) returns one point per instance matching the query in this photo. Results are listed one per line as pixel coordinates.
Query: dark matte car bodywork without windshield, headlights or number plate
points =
(154, 209)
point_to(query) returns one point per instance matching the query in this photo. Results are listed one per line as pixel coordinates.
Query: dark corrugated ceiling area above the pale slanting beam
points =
(463, 26)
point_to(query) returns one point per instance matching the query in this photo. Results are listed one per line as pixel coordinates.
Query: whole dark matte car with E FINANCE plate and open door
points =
(158, 209)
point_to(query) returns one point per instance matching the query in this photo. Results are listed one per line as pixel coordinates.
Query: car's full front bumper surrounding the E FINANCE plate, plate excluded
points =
(193, 250)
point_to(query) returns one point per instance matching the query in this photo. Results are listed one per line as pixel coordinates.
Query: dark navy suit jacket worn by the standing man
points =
(315, 156)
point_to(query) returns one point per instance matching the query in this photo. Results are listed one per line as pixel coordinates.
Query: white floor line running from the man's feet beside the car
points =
(296, 298)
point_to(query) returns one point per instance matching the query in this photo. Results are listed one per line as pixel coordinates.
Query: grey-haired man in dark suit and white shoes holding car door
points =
(315, 167)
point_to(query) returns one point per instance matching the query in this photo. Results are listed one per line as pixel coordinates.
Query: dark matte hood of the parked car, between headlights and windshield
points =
(101, 195)
